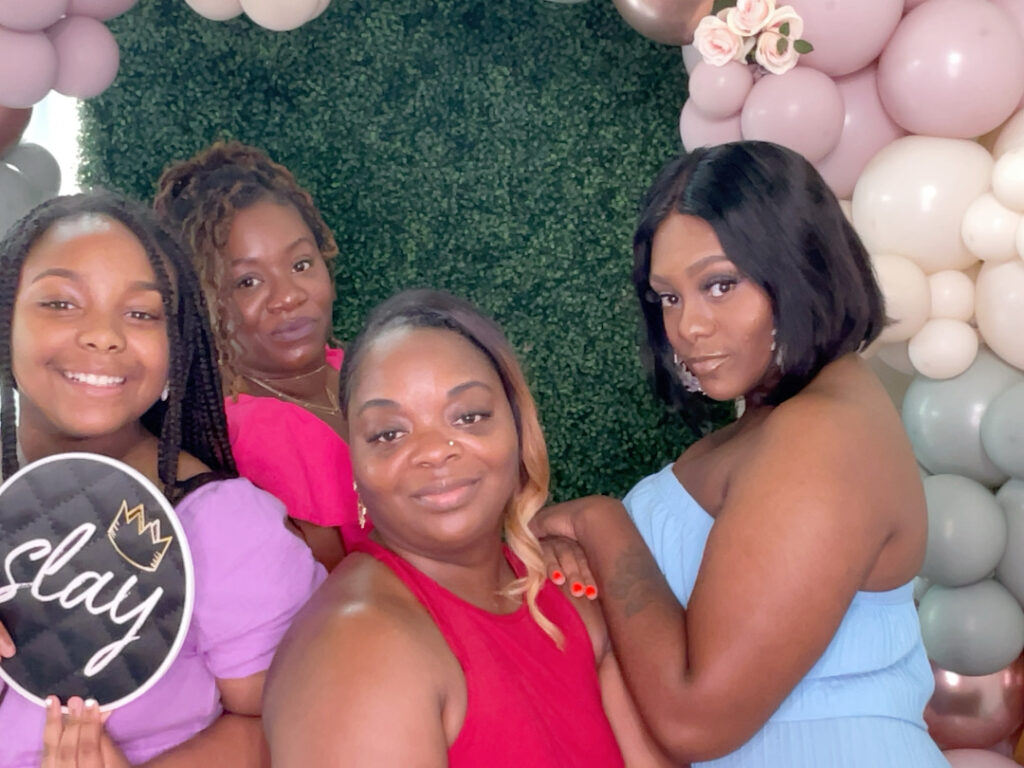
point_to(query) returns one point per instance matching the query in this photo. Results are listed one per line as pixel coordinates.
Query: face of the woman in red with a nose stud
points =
(434, 442)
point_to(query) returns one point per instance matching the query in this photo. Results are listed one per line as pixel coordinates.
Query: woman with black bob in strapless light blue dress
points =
(758, 590)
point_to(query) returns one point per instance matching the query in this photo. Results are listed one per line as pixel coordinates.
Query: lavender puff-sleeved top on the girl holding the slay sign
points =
(252, 576)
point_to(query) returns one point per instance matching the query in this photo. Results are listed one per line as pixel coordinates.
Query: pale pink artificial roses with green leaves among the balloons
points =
(752, 31)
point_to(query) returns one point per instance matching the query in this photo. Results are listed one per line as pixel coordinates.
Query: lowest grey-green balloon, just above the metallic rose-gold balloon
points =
(973, 630)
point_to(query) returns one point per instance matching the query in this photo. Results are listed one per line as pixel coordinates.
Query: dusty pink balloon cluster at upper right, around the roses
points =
(880, 70)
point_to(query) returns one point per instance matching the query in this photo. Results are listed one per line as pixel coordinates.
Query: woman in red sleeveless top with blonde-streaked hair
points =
(436, 643)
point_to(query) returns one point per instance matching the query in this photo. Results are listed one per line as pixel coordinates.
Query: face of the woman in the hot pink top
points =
(278, 291)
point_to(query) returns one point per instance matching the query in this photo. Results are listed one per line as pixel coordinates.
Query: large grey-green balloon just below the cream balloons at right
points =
(944, 418)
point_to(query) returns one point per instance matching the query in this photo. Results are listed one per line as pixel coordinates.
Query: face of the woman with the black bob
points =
(718, 321)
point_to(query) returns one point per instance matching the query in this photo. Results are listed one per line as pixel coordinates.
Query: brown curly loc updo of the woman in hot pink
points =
(199, 198)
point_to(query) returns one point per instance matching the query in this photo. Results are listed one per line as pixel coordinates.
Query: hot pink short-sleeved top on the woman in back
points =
(287, 451)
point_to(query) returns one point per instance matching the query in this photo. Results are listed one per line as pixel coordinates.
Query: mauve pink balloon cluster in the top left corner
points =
(57, 45)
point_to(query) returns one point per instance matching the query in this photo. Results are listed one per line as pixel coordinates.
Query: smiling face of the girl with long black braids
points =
(90, 347)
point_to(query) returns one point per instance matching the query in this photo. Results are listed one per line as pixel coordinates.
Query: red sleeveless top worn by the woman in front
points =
(529, 704)
